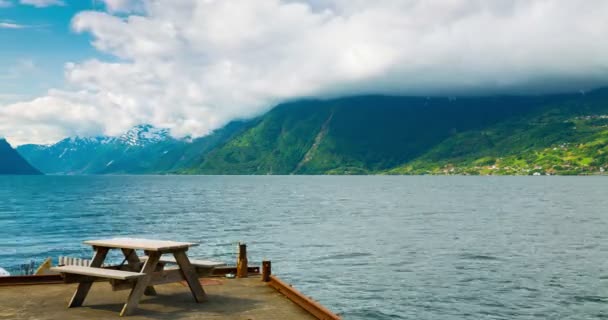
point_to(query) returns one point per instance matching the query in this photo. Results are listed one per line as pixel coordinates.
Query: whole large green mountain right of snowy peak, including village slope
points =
(554, 134)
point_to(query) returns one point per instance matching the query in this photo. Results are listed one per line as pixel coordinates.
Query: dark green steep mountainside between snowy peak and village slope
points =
(357, 135)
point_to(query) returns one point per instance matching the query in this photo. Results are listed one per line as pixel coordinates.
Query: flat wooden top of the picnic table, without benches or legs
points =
(143, 244)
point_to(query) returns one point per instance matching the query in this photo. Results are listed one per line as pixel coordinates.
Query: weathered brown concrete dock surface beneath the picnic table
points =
(228, 299)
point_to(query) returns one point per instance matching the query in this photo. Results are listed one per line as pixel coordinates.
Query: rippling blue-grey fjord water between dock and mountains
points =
(366, 247)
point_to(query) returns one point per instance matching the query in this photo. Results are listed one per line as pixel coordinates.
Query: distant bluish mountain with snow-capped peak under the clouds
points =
(144, 149)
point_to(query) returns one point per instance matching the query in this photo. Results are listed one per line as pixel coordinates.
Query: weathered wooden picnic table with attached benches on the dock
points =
(140, 273)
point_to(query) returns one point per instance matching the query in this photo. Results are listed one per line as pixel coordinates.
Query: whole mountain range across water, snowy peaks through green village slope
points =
(551, 134)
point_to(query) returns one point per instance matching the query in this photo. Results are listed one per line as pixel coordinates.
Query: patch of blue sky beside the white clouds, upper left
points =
(34, 51)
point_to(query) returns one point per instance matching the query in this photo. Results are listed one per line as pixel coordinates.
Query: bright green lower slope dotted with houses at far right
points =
(568, 136)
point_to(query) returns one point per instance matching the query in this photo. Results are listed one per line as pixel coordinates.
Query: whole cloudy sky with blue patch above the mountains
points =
(93, 67)
